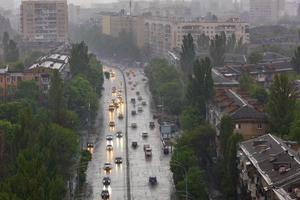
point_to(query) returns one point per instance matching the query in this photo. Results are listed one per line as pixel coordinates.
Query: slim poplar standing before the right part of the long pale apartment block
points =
(217, 49)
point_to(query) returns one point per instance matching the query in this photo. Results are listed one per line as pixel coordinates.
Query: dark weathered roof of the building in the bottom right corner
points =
(273, 159)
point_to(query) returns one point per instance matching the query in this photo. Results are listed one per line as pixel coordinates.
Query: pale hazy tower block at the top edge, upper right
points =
(266, 11)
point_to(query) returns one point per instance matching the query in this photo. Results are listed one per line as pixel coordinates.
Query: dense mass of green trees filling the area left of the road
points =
(38, 137)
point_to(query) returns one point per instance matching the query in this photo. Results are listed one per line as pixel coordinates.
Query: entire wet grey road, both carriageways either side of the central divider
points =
(140, 168)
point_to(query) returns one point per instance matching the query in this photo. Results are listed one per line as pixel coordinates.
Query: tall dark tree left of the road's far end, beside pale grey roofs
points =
(79, 59)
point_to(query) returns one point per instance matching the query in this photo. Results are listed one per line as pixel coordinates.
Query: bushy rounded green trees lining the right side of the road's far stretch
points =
(165, 85)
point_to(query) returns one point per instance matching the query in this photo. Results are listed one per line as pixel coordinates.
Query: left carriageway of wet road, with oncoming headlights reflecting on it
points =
(95, 171)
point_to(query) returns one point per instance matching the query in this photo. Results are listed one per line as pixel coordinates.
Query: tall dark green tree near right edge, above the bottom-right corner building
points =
(281, 105)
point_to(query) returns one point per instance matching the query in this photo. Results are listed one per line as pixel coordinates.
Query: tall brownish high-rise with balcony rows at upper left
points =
(44, 20)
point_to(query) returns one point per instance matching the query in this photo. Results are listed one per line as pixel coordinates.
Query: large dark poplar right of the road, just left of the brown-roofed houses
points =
(200, 87)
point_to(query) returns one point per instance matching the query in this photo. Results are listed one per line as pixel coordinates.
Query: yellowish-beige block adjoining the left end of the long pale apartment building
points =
(114, 24)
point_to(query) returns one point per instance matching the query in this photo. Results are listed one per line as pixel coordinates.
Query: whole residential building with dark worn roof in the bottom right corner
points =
(269, 168)
